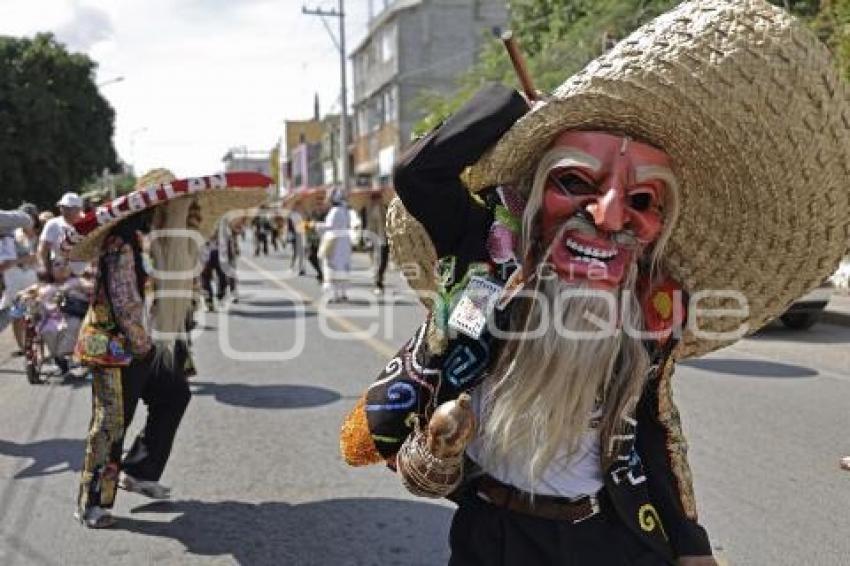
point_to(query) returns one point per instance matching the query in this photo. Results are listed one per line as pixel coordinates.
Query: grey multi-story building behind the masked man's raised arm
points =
(412, 46)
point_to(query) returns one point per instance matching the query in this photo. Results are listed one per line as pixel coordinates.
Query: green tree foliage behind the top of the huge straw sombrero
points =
(559, 37)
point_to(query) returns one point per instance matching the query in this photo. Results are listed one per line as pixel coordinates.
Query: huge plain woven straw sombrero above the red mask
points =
(747, 103)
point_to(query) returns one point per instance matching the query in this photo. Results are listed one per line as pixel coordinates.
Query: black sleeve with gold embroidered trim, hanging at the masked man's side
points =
(663, 452)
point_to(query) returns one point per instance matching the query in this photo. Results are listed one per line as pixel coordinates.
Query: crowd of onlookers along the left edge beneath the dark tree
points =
(39, 286)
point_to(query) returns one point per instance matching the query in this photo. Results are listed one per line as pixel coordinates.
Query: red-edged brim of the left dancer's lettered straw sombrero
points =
(243, 191)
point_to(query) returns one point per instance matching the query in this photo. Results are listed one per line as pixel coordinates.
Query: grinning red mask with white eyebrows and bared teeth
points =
(603, 205)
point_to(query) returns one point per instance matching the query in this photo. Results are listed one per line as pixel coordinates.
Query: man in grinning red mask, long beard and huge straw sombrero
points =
(572, 240)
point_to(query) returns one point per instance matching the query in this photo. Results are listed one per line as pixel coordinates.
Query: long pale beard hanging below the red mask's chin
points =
(541, 391)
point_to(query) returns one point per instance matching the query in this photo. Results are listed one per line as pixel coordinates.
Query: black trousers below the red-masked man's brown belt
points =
(483, 534)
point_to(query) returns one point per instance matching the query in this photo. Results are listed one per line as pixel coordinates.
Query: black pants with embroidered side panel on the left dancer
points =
(116, 393)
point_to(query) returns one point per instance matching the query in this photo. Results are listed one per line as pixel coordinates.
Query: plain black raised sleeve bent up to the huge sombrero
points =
(427, 177)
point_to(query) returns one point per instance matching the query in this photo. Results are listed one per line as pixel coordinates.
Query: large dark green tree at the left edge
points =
(55, 128)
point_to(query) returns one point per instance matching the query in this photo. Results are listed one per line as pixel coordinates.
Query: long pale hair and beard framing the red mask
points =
(543, 388)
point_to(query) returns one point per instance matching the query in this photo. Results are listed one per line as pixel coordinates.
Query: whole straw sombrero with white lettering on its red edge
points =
(214, 195)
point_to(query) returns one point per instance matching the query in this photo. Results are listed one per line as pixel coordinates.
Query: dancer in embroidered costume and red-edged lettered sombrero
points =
(128, 361)
